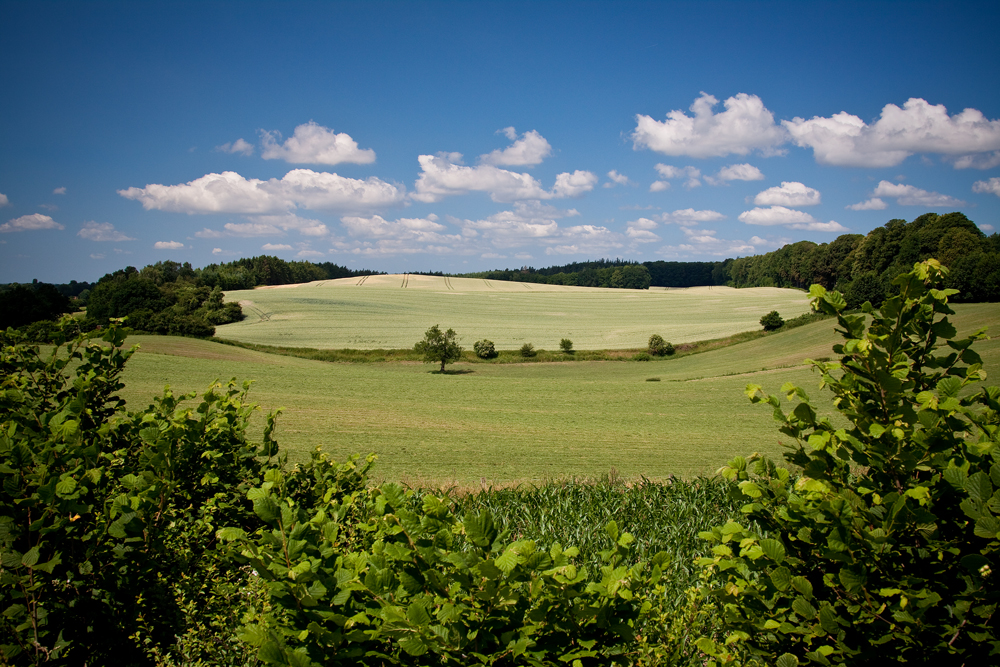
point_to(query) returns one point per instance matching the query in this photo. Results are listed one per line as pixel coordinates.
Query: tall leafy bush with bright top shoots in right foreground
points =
(886, 548)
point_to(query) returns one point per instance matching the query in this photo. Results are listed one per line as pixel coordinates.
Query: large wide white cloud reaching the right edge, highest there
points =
(919, 127)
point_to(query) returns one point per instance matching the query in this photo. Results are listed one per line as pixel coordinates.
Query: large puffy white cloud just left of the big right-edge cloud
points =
(744, 126)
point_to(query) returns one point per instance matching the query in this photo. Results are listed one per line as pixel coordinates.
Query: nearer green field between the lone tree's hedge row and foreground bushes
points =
(489, 424)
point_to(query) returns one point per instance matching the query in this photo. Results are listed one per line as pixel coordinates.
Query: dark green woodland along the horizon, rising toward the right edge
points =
(862, 267)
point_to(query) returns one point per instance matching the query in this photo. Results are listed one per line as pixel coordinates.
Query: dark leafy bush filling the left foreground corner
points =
(108, 519)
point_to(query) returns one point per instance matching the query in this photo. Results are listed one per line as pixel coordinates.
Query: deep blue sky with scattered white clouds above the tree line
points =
(464, 136)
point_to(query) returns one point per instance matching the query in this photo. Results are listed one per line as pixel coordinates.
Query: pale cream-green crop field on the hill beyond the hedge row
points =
(394, 311)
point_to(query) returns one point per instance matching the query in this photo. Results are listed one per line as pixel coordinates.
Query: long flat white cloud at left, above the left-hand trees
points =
(229, 192)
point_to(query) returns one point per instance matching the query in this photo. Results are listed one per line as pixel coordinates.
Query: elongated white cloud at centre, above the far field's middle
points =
(443, 175)
